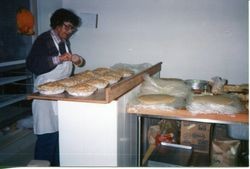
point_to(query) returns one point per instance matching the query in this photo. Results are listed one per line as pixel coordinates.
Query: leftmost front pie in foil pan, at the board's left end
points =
(51, 88)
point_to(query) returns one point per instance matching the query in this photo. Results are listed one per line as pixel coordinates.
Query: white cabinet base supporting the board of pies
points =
(93, 134)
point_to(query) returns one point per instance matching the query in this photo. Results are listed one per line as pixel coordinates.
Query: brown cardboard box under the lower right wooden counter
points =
(197, 135)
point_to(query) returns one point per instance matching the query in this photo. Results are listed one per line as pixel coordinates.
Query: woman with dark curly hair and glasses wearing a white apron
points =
(50, 59)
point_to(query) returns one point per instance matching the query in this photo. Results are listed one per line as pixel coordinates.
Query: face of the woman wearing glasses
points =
(65, 31)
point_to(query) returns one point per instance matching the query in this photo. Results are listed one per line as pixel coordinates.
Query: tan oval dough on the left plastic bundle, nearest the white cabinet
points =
(156, 99)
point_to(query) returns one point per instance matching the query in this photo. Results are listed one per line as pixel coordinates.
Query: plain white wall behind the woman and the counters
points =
(195, 39)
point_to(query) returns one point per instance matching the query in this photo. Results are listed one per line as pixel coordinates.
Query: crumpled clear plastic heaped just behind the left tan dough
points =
(153, 85)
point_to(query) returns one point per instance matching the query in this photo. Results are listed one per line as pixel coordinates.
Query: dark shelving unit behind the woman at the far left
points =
(15, 84)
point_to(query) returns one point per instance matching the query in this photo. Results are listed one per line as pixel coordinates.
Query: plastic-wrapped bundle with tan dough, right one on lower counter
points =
(221, 104)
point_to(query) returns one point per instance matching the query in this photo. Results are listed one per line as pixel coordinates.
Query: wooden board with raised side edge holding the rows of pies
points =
(106, 95)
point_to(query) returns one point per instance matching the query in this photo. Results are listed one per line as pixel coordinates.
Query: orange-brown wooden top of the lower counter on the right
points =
(242, 117)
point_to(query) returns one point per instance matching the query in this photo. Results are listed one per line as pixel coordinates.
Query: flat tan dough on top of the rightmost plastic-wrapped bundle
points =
(222, 100)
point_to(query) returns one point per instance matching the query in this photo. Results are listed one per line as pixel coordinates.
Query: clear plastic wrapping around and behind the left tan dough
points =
(155, 86)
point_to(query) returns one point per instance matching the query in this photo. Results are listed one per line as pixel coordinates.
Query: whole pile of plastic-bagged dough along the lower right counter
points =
(170, 94)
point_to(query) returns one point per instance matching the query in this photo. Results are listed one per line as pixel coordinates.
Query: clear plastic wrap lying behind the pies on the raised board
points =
(136, 68)
